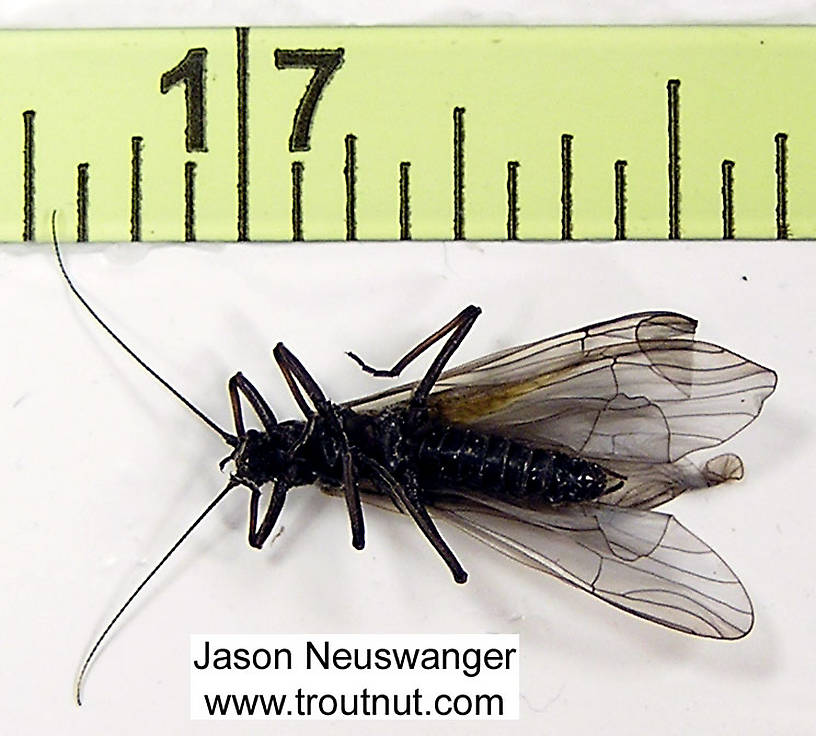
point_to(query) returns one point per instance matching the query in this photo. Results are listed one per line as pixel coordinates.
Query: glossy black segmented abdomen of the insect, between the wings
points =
(451, 457)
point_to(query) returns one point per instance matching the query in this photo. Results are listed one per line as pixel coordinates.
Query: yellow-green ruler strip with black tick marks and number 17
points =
(398, 133)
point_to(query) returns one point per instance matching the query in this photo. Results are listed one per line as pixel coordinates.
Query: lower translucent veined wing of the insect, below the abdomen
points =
(643, 562)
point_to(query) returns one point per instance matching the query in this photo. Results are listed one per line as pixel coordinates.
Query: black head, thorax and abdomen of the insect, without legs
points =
(418, 452)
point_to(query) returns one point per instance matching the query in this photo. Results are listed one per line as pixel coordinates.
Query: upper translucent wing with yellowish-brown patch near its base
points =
(636, 389)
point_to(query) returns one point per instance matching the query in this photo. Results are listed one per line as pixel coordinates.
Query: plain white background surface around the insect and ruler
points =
(103, 468)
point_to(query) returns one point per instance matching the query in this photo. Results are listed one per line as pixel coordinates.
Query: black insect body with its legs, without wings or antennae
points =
(407, 452)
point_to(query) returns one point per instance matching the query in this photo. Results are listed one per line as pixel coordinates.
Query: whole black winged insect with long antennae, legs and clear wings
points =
(553, 453)
